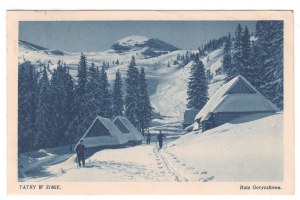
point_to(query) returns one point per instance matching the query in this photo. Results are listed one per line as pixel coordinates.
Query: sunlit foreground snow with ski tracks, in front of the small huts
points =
(147, 164)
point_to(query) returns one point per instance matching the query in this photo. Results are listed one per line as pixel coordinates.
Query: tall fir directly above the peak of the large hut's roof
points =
(237, 51)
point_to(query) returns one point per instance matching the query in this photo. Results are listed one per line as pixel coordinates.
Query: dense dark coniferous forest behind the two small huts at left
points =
(57, 111)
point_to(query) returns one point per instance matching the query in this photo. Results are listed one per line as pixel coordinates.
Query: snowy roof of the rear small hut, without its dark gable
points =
(133, 134)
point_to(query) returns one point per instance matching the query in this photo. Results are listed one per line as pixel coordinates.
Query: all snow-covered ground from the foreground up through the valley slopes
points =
(246, 149)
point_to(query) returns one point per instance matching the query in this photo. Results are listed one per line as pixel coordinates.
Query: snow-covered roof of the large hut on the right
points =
(224, 100)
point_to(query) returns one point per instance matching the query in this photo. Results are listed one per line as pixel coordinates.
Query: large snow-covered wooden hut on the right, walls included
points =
(234, 99)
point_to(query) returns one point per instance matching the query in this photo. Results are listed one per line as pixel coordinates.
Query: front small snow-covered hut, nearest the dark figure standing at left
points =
(102, 134)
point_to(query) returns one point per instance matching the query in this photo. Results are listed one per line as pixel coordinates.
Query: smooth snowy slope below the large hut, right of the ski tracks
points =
(249, 148)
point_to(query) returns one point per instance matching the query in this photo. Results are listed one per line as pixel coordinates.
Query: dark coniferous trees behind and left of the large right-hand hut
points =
(259, 58)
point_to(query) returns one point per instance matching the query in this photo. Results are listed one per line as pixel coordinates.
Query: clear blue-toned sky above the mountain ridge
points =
(85, 36)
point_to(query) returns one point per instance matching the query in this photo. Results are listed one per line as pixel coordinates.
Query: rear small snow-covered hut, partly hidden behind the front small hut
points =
(129, 131)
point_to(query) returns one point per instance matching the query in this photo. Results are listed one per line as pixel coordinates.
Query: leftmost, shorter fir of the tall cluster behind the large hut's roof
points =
(227, 60)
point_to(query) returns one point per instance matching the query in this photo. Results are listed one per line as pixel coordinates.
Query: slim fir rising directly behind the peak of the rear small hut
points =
(118, 102)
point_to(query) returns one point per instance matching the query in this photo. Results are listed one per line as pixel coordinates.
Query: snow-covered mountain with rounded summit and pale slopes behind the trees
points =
(167, 80)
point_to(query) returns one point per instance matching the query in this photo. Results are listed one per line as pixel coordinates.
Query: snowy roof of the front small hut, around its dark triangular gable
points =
(115, 137)
